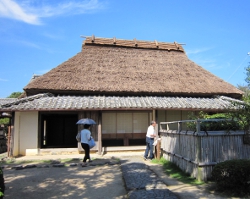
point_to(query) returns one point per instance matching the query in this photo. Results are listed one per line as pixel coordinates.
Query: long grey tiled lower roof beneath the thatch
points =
(43, 102)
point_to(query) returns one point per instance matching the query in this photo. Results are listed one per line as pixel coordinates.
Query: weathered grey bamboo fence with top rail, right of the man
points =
(197, 152)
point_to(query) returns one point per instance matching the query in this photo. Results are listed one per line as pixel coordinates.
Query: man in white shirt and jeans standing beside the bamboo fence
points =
(150, 140)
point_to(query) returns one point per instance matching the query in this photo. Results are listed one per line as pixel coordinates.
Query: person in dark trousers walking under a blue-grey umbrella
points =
(85, 137)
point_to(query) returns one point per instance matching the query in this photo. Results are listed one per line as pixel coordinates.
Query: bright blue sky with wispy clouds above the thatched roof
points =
(38, 35)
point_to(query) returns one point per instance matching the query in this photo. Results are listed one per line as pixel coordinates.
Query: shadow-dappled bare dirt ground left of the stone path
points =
(98, 182)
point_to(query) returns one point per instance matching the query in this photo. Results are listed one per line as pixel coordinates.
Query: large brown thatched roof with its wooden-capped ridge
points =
(123, 67)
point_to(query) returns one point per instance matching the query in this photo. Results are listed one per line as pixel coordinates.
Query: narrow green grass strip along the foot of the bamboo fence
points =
(173, 171)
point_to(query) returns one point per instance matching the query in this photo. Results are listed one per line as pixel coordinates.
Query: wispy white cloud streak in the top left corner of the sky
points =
(31, 12)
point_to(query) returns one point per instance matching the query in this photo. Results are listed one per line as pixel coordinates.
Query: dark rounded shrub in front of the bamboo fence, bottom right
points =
(233, 176)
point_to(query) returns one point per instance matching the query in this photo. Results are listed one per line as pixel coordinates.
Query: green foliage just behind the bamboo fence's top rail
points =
(226, 125)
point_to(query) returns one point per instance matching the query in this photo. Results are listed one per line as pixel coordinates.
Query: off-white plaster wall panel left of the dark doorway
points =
(25, 132)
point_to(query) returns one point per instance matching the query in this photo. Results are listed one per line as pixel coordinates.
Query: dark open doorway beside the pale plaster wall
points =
(59, 131)
